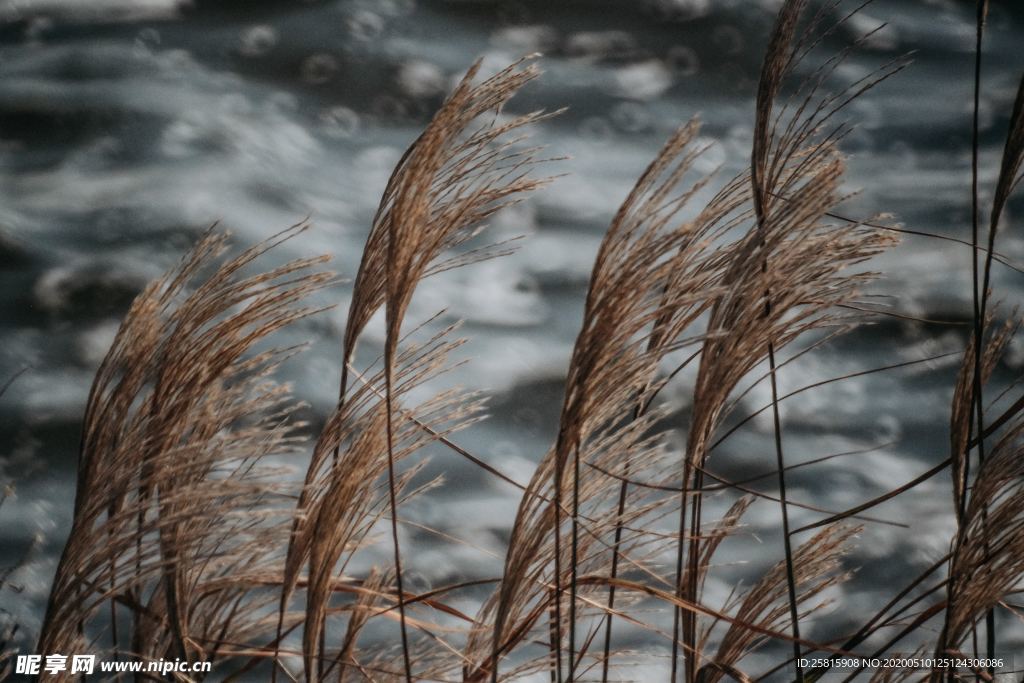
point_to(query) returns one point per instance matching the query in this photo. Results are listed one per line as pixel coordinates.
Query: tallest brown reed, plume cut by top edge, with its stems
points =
(788, 278)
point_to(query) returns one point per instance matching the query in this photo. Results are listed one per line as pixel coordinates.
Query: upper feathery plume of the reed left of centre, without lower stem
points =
(450, 181)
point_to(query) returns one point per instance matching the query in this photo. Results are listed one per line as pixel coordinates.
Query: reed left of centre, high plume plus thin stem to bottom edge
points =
(446, 186)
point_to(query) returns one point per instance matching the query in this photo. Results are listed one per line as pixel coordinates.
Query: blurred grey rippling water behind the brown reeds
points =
(129, 126)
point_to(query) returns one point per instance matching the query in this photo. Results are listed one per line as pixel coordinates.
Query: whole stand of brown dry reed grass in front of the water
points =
(190, 542)
